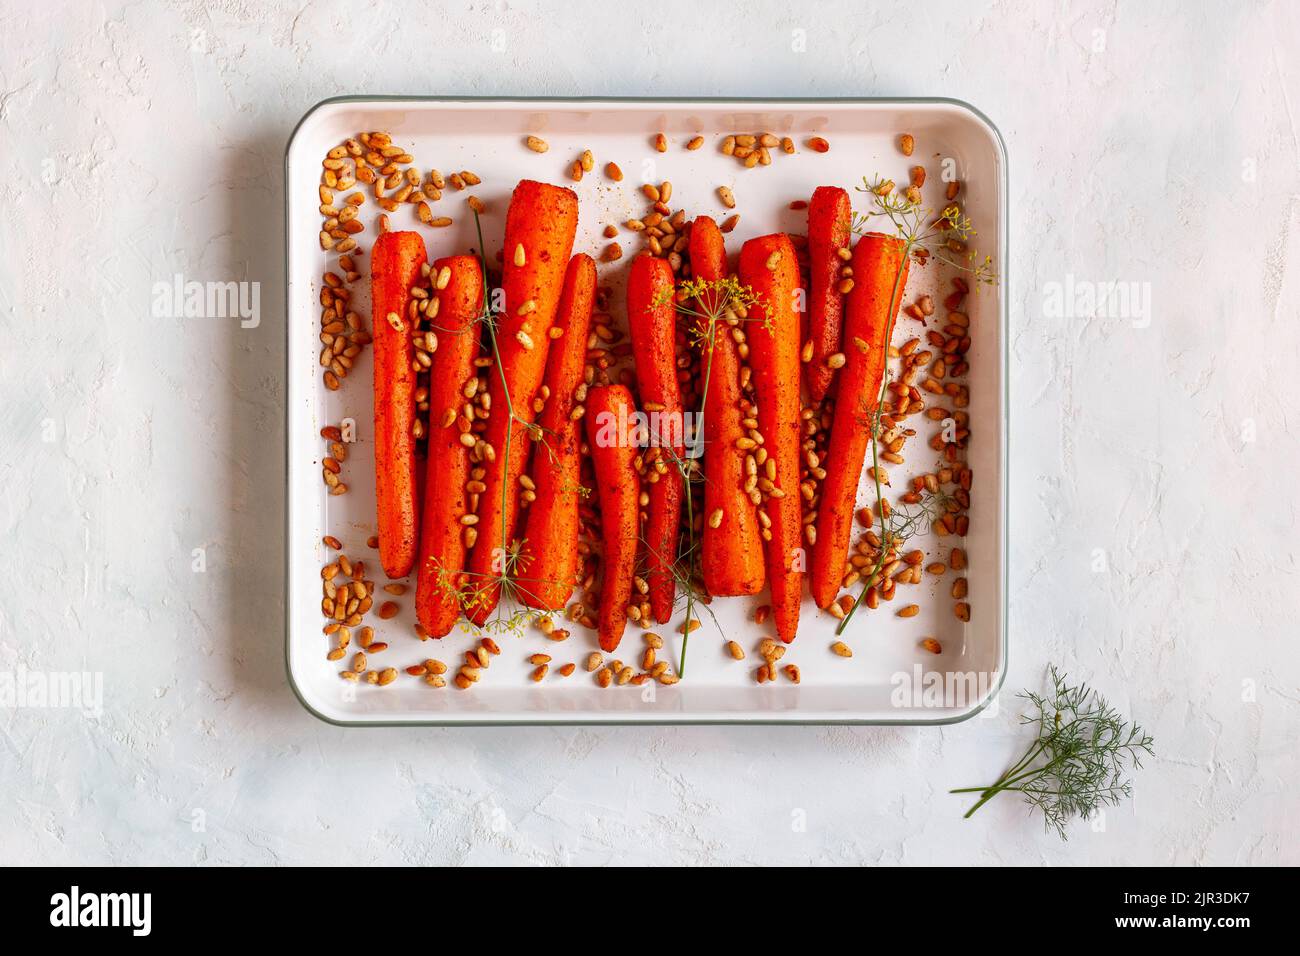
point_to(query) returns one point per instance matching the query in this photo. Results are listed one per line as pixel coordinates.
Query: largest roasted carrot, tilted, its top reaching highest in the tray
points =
(540, 227)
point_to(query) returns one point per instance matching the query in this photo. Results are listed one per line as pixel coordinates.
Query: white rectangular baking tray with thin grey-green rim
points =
(890, 678)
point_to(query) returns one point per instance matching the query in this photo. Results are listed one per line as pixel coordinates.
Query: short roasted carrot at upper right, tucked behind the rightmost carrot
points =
(830, 218)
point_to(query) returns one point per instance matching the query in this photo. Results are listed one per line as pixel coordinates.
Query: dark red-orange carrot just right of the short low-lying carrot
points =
(652, 318)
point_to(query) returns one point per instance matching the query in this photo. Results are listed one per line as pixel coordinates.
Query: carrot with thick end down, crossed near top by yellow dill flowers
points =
(733, 552)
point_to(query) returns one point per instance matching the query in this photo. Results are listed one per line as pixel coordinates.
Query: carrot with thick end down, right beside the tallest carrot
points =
(551, 534)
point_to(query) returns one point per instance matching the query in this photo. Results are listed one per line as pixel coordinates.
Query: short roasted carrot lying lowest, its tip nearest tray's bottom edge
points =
(609, 425)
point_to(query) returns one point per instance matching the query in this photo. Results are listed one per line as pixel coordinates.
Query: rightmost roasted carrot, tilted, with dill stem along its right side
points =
(877, 262)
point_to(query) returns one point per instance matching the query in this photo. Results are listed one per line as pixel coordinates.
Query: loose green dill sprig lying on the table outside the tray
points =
(1078, 762)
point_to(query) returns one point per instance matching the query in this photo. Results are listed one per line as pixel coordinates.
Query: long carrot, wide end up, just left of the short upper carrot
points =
(769, 267)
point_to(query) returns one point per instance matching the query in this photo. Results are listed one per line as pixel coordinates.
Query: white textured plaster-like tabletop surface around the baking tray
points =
(144, 140)
